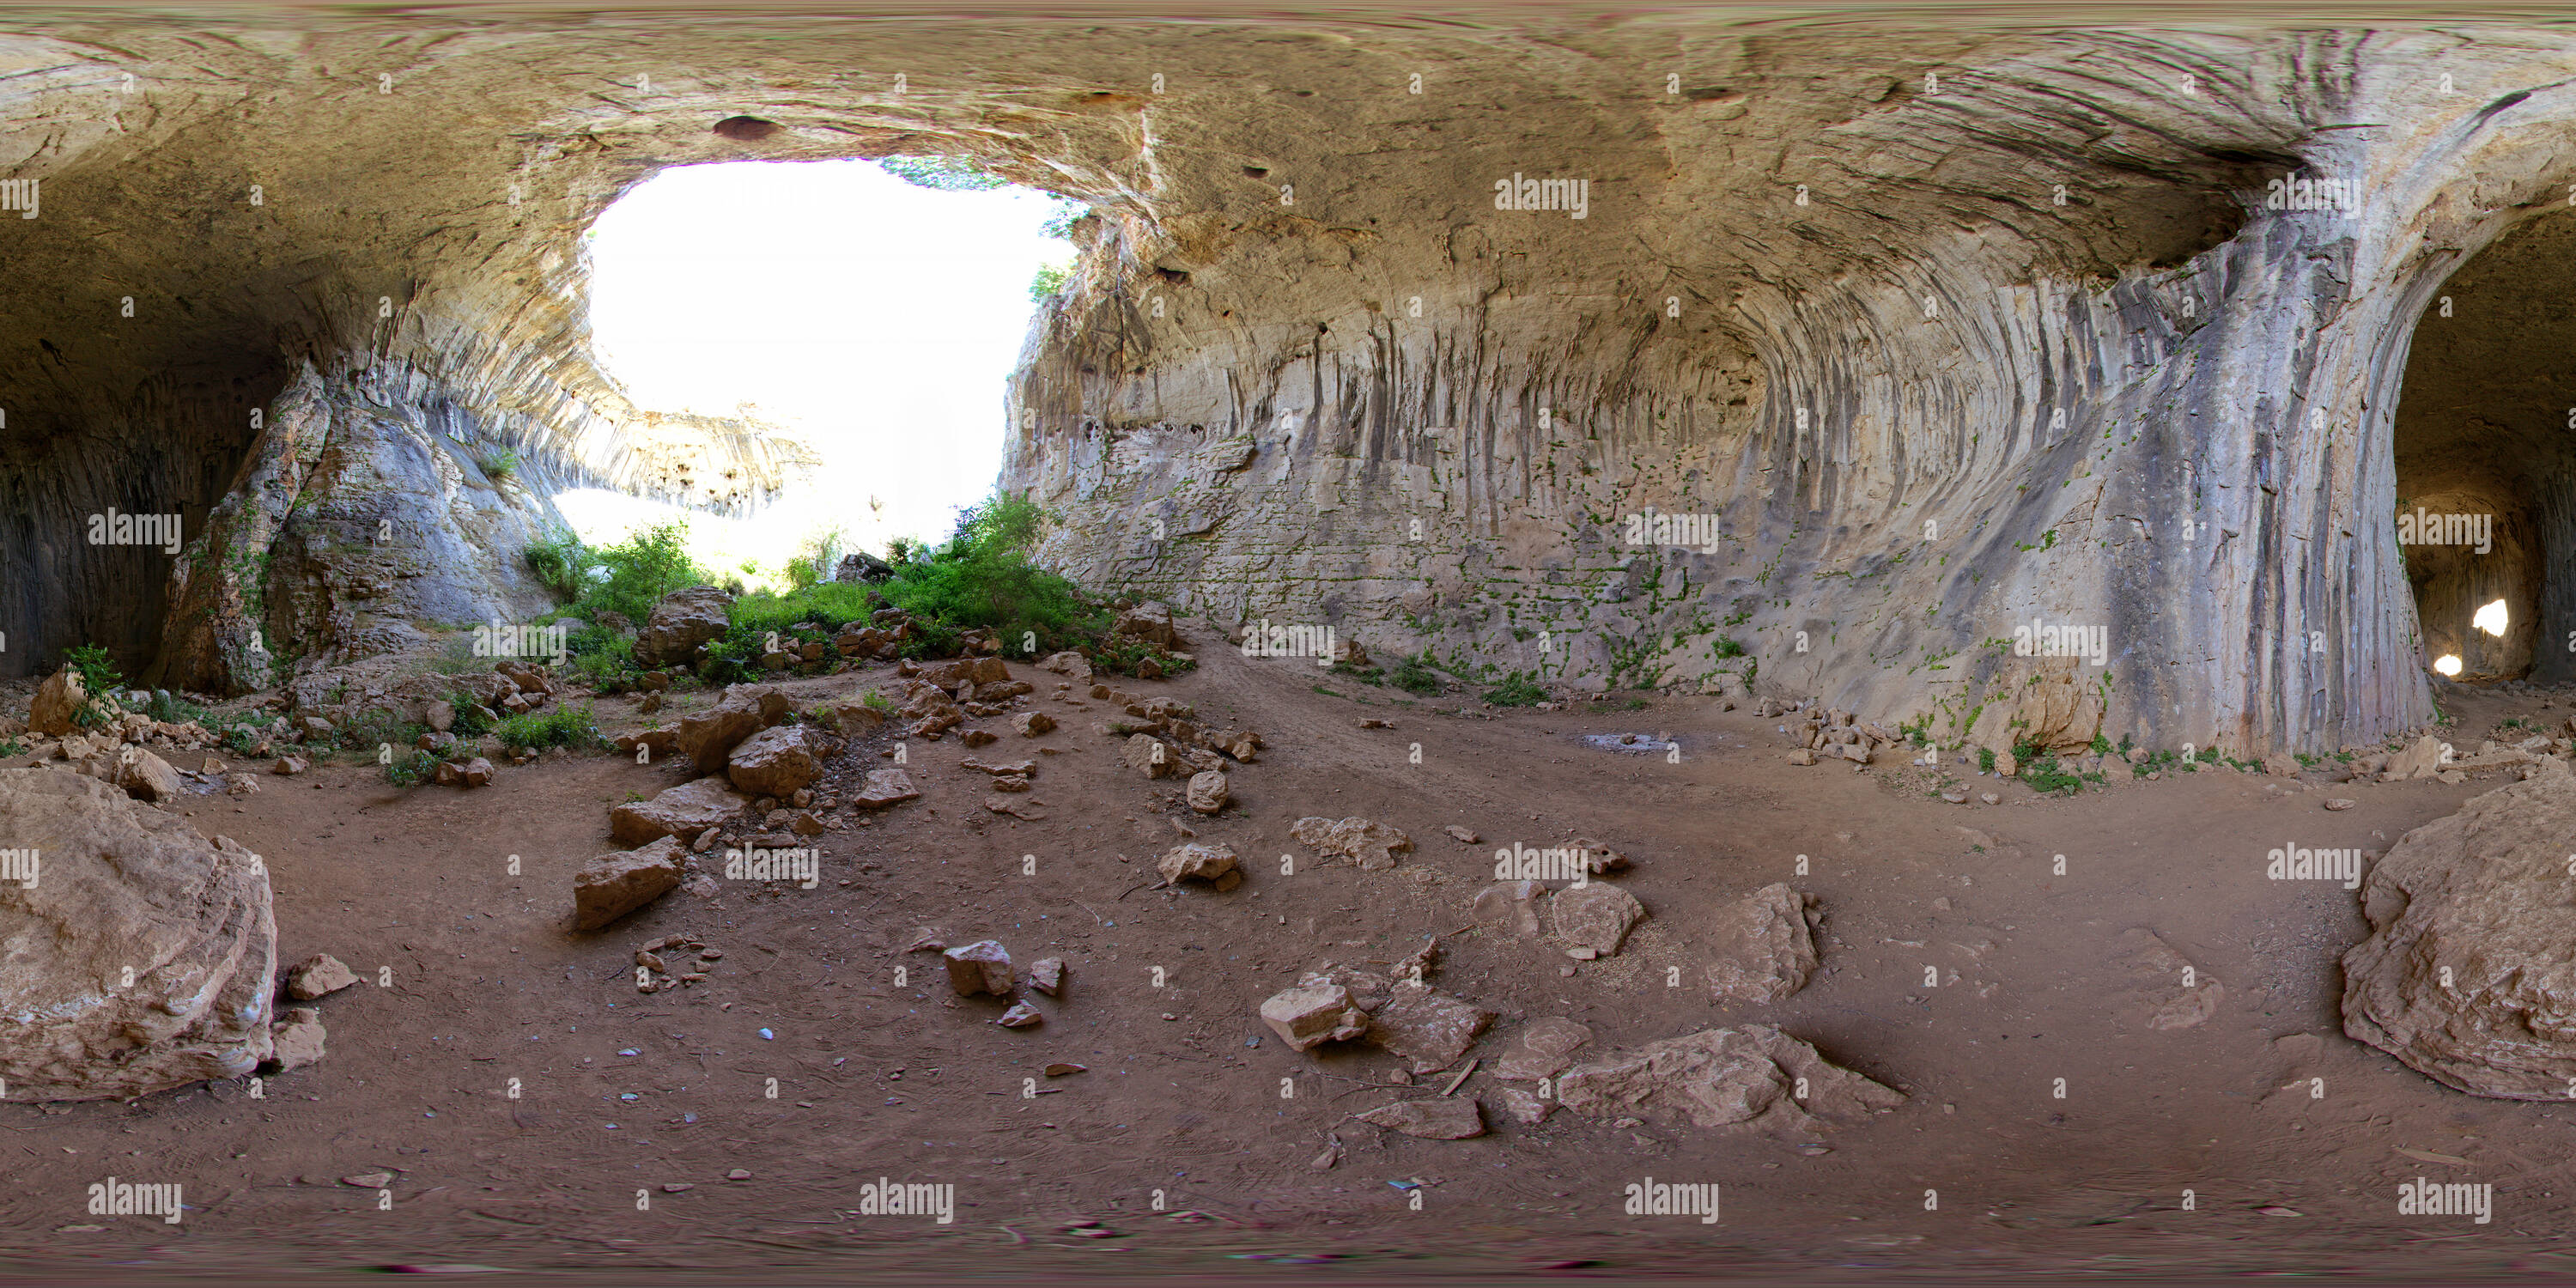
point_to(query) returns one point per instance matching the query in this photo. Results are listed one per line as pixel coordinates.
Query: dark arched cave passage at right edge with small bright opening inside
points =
(2487, 462)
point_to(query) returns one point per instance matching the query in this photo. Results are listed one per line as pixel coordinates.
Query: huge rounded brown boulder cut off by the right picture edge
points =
(2469, 972)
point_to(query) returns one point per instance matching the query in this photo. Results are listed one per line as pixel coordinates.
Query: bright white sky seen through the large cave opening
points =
(867, 316)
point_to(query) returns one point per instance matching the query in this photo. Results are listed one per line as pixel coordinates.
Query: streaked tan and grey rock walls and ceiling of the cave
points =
(1841, 326)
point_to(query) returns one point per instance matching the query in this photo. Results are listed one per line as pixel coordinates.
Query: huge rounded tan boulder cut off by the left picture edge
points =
(122, 890)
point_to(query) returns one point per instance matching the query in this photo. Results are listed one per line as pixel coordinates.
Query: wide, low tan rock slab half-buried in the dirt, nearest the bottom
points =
(1719, 1078)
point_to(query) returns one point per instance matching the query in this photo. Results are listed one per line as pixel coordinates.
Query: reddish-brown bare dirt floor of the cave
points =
(1179, 1140)
